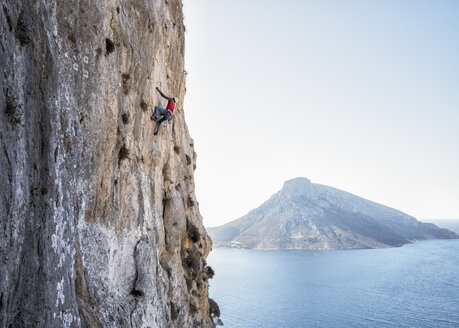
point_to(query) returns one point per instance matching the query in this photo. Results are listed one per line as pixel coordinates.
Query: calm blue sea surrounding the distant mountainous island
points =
(416, 285)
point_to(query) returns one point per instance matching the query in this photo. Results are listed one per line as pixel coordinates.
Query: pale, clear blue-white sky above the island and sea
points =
(360, 95)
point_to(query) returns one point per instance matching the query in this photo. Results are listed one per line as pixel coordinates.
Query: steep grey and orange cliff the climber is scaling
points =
(99, 225)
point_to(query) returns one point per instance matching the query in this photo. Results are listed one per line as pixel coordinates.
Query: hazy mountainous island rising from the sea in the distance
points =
(311, 216)
